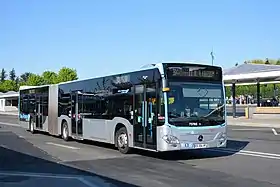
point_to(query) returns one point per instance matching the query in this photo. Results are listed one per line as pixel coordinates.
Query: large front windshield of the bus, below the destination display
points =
(196, 103)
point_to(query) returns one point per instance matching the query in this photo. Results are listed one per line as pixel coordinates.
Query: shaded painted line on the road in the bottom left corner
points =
(49, 175)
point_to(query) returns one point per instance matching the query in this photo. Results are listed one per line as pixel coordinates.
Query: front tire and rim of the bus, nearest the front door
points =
(122, 140)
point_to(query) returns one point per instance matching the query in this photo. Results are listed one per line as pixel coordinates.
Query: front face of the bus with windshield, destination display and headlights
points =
(195, 116)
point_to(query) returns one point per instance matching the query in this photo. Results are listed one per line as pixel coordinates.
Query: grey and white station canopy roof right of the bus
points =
(248, 74)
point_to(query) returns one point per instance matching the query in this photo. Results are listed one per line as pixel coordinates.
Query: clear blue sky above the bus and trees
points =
(101, 37)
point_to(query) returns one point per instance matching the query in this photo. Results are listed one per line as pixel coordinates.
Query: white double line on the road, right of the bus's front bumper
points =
(249, 153)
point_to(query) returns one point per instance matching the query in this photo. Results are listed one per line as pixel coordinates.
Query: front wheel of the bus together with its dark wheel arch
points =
(121, 138)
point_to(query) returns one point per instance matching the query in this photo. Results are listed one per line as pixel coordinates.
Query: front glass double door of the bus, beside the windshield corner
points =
(144, 116)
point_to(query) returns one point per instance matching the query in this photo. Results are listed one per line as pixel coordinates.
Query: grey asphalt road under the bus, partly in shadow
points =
(251, 159)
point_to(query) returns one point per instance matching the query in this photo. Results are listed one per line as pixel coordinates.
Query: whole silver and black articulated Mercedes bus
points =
(164, 107)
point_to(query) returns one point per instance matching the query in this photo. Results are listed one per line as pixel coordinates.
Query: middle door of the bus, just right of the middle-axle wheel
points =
(76, 119)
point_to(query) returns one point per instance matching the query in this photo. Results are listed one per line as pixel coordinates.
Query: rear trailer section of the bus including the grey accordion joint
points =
(38, 108)
